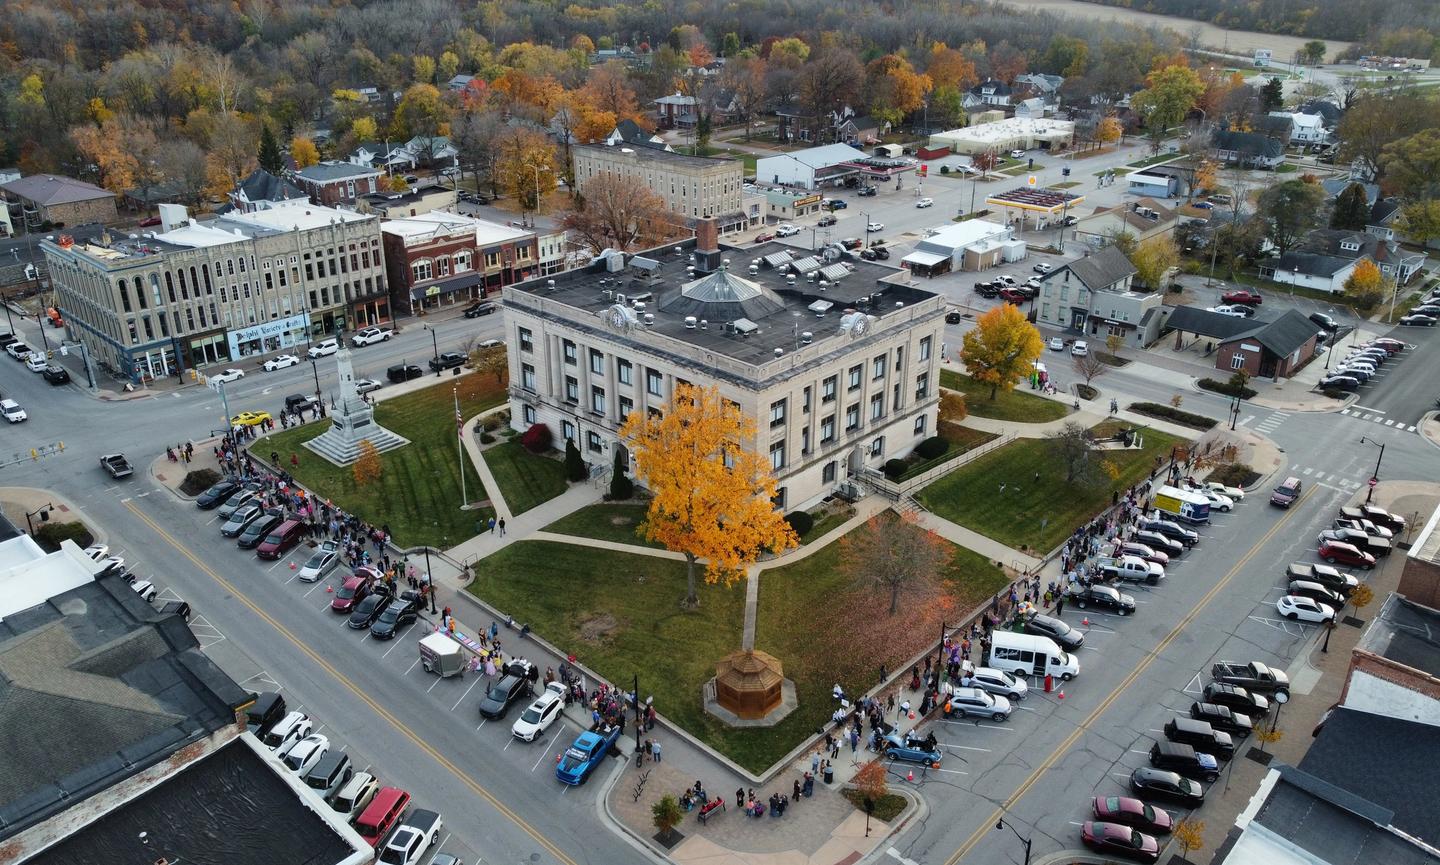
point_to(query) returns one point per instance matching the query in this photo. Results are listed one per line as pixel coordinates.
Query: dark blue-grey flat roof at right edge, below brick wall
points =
(1383, 761)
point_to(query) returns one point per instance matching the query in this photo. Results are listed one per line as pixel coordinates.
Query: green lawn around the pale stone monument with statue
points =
(418, 496)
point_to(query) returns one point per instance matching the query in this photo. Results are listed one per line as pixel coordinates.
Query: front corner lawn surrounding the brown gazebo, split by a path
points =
(620, 614)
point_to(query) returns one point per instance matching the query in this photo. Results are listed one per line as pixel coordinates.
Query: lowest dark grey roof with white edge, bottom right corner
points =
(1331, 824)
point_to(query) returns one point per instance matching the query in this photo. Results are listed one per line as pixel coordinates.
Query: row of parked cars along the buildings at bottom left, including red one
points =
(381, 815)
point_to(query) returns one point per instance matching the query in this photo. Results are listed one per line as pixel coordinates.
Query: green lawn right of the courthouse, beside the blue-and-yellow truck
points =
(1035, 515)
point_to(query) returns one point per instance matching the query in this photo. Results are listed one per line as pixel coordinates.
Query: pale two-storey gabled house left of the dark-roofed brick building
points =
(1094, 297)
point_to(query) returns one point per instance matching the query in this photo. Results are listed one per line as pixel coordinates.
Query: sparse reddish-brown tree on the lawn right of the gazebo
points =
(894, 553)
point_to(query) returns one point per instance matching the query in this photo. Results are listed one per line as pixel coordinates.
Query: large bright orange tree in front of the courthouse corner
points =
(712, 492)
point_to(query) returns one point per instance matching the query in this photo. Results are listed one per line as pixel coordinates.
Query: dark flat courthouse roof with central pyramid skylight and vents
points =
(771, 313)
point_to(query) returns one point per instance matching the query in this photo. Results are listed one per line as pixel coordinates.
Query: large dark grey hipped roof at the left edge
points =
(119, 689)
